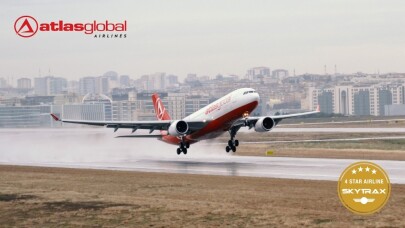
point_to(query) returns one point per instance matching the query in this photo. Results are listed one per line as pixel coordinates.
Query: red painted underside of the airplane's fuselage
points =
(215, 127)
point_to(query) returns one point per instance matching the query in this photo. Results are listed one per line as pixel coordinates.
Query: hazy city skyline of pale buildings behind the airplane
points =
(118, 97)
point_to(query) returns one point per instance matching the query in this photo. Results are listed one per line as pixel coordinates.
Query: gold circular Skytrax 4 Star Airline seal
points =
(364, 187)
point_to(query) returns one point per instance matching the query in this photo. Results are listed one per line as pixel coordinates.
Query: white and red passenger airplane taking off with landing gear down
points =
(227, 114)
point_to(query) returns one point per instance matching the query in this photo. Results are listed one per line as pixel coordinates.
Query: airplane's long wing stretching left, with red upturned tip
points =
(135, 125)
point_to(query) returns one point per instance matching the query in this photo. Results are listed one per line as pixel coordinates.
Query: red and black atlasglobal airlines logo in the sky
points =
(28, 26)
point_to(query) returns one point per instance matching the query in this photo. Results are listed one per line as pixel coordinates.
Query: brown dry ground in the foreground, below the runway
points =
(54, 197)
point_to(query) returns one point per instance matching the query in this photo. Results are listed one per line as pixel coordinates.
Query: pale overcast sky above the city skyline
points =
(207, 37)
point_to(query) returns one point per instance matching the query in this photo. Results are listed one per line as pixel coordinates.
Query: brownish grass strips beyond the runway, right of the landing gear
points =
(364, 149)
